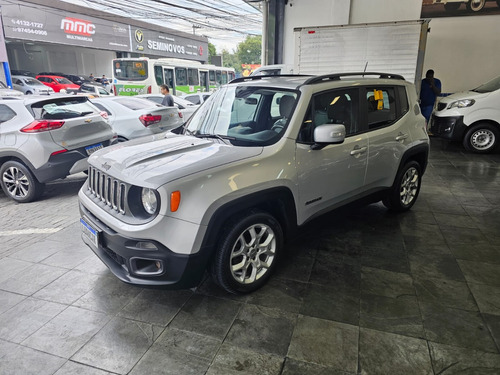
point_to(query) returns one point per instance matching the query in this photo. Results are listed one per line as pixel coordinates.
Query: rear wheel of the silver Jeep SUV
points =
(404, 193)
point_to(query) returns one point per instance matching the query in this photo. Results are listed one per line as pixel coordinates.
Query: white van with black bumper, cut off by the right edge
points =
(471, 117)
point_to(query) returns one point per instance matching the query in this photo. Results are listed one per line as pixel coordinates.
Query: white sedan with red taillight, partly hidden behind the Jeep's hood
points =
(132, 117)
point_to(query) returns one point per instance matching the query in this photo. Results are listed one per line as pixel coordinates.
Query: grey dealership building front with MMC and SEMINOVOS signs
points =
(48, 35)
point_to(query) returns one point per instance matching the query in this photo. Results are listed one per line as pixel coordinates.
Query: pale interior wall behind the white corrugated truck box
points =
(463, 51)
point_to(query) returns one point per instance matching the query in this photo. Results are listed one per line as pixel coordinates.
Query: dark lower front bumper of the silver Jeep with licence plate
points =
(141, 262)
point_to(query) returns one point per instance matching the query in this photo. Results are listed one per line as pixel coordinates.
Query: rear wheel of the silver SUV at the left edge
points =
(18, 183)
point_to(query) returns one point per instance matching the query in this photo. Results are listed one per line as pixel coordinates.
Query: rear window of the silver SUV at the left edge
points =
(63, 108)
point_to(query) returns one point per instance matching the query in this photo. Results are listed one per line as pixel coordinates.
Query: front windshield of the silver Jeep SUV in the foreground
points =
(245, 115)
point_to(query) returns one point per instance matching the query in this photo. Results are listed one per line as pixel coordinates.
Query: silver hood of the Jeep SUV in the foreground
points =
(155, 160)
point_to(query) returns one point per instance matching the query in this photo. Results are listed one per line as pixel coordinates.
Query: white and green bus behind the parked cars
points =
(133, 76)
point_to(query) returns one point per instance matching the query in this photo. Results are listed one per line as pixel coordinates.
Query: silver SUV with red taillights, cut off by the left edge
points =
(43, 139)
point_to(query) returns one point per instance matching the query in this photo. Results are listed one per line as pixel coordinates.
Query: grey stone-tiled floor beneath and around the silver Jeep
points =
(360, 291)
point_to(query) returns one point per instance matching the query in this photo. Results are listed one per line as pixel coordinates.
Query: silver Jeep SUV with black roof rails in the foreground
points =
(262, 156)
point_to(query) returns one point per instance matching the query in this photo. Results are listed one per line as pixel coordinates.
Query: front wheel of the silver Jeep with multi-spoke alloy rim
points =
(247, 252)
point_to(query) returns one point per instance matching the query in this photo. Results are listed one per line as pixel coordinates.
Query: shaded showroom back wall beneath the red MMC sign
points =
(57, 58)
